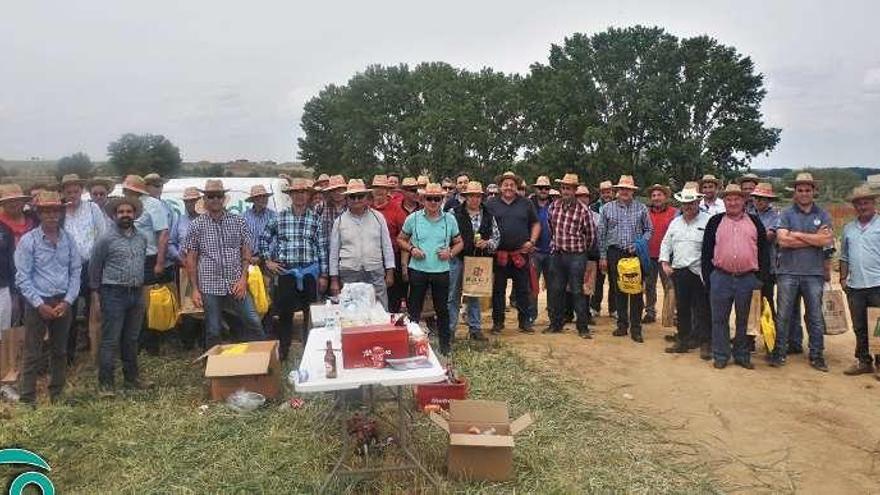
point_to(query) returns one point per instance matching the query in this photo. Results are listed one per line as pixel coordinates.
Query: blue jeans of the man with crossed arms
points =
(788, 288)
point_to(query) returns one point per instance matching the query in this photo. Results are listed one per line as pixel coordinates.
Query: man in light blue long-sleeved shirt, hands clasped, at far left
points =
(48, 275)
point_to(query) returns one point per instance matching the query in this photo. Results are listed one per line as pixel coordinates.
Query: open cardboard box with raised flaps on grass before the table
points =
(476, 456)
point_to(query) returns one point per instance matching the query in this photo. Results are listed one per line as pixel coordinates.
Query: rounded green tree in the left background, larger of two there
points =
(143, 154)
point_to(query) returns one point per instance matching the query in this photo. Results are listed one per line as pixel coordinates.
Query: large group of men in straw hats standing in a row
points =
(409, 238)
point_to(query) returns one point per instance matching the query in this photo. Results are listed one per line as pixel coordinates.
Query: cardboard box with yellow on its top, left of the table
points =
(252, 366)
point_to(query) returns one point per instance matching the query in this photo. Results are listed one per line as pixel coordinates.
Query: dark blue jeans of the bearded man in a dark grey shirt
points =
(122, 315)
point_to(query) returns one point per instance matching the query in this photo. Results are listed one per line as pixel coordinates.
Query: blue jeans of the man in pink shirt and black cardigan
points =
(727, 291)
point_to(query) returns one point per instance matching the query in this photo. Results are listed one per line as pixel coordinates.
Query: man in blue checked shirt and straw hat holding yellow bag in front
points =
(622, 223)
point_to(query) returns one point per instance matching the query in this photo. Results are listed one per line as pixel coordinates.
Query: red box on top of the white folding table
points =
(358, 344)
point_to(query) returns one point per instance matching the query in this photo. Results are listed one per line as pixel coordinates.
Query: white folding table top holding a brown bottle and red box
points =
(348, 379)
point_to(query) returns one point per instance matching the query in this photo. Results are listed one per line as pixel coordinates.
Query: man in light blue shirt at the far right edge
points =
(860, 272)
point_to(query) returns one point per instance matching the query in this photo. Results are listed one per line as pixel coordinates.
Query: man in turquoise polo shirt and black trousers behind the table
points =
(432, 239)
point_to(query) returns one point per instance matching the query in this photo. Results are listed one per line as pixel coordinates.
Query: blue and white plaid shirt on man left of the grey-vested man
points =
(299, 240)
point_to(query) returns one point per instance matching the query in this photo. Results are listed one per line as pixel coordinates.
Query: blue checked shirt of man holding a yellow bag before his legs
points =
(620, 225)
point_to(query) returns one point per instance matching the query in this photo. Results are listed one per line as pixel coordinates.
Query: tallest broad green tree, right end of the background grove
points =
(639, 100)
